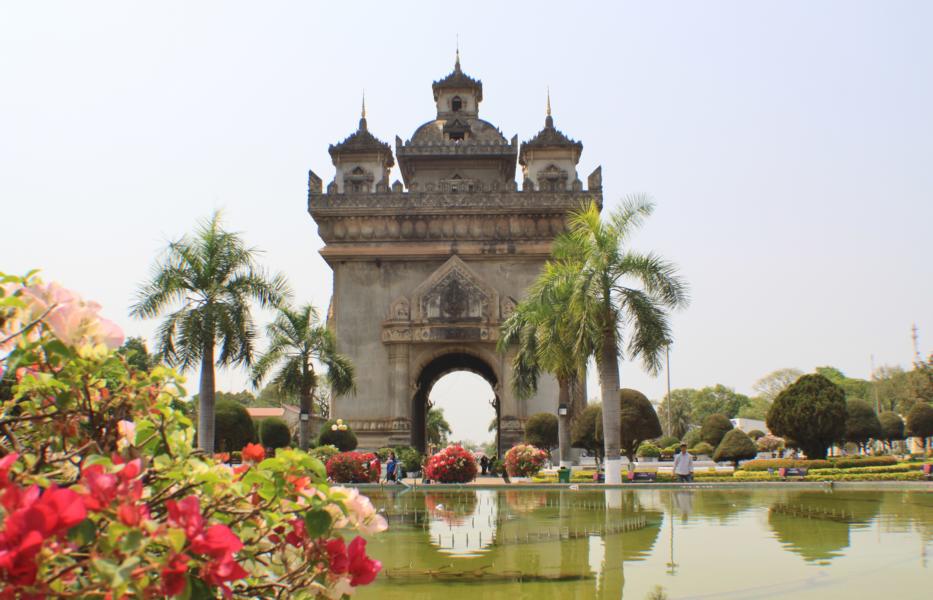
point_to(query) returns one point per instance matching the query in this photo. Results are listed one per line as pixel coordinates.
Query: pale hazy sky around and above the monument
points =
(788, 146)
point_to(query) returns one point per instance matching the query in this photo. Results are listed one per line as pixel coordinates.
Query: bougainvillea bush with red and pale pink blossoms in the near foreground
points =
(102, 493)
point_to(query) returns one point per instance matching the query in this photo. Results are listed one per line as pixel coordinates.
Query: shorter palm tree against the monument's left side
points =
(297, 340)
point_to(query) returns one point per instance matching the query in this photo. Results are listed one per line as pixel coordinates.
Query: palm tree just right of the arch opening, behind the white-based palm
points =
(539, 332)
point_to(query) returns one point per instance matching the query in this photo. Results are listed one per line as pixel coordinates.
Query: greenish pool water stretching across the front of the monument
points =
(701, 543)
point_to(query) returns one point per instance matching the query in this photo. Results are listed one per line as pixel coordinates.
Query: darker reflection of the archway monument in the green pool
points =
(571, 543)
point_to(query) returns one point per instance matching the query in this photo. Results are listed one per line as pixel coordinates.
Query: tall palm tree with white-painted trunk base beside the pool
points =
(615, 289)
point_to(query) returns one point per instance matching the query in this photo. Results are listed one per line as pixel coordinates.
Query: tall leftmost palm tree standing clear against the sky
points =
(208, 281)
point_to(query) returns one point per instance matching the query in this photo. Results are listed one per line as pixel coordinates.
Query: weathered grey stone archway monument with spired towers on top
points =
(426, 271)
